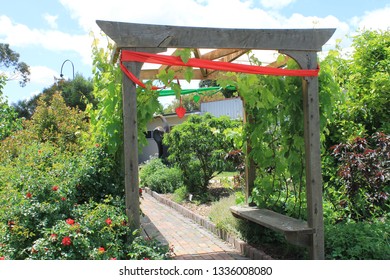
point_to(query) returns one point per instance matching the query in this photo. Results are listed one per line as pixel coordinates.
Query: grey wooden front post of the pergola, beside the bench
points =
(308, 60)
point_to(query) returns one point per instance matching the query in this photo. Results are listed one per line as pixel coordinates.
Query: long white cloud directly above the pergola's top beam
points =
(207, 13)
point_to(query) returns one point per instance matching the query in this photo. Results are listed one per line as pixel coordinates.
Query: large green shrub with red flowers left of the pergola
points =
(43, 215)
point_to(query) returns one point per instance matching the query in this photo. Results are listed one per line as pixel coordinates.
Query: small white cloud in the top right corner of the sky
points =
(377, 20)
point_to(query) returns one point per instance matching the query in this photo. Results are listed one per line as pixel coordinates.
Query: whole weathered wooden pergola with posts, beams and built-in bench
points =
(301, 45)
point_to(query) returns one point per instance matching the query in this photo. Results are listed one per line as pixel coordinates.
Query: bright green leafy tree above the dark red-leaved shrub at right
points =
(363, 78)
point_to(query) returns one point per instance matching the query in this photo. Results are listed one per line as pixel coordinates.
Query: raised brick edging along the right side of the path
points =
(240, 245)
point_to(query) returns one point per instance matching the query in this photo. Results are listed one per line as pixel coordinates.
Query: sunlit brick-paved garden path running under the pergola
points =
(188, 240)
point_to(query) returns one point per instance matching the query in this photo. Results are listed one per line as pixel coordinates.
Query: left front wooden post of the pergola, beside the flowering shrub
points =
(130, 145)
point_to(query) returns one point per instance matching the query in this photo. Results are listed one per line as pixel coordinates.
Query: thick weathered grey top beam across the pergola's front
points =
(136, 35)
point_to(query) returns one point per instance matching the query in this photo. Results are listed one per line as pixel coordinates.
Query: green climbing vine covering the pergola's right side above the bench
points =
(275, 109)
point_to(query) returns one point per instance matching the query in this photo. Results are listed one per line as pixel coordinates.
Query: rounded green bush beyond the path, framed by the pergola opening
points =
(198, 147)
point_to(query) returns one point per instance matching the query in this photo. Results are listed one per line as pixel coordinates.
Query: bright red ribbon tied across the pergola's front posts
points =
(128, 56)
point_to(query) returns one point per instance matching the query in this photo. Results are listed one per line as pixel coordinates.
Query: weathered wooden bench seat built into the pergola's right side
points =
(296, 231)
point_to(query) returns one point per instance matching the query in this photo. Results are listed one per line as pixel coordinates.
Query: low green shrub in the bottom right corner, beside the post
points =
(357, 241)
